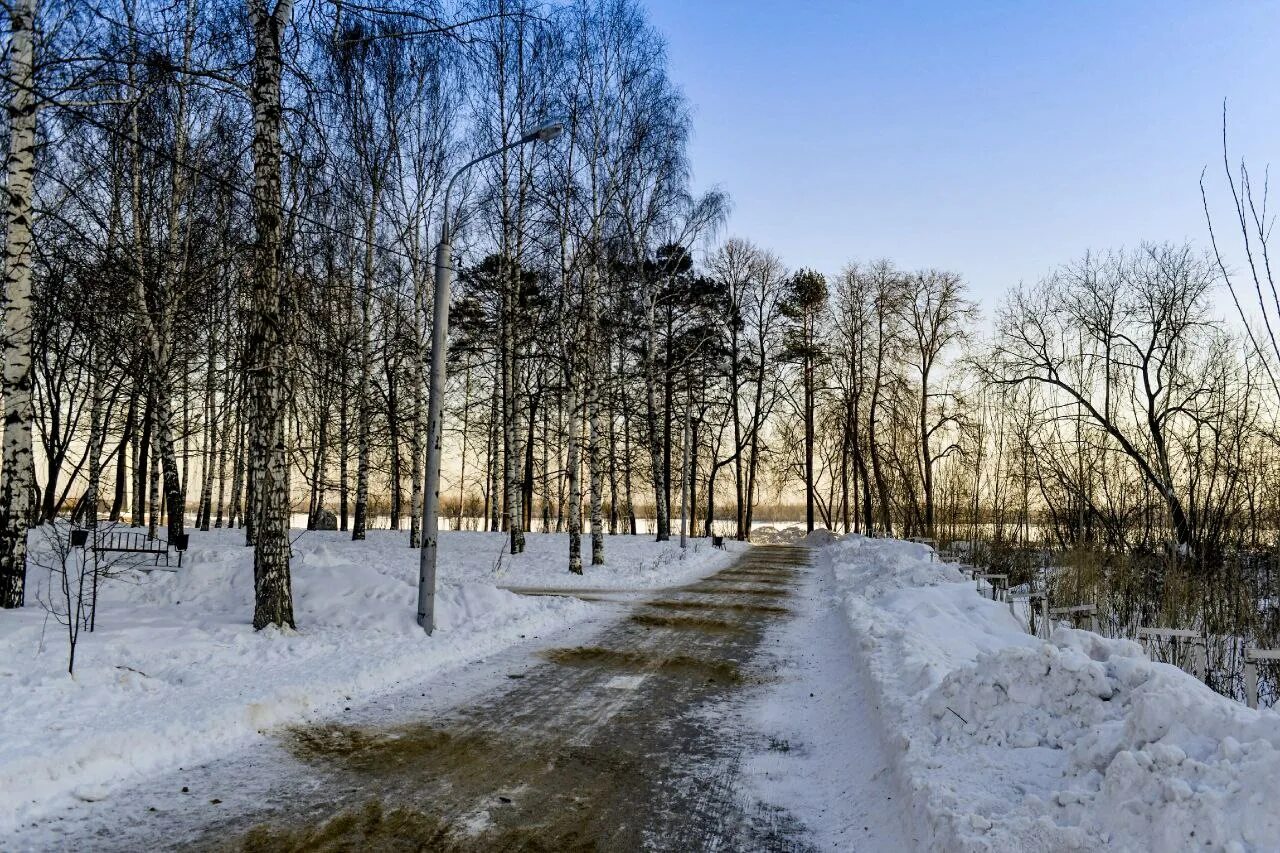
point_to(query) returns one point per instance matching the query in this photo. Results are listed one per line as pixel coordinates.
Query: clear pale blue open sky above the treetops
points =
(993, 139)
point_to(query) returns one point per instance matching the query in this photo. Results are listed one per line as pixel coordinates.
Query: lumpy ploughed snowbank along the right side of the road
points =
(1003, 742)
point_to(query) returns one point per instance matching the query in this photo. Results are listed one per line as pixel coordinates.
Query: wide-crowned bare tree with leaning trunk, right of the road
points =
(1141, 378)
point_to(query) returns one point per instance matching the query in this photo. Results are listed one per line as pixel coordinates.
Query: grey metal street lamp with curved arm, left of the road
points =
(545, 133)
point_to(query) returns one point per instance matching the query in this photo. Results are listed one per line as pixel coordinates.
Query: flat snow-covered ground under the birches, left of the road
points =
(176, 674)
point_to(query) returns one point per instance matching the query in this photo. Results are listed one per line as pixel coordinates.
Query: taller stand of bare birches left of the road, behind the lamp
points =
(217, 268)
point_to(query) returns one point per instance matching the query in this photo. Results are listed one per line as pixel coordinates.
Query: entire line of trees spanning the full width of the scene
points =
(220, 227)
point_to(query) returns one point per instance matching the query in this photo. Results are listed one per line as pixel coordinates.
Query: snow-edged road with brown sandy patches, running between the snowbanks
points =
(723, 717)
